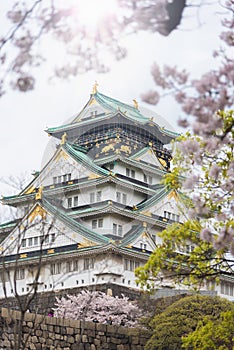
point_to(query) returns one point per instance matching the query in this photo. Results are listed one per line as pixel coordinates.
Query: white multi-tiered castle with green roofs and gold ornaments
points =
(91, 215)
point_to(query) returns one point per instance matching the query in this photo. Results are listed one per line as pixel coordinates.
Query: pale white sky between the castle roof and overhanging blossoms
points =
(25, 116)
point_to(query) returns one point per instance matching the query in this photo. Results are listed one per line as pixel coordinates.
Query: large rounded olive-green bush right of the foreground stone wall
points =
(181, 318)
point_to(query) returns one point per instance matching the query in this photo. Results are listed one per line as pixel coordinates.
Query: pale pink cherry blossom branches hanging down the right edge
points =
(204, 157)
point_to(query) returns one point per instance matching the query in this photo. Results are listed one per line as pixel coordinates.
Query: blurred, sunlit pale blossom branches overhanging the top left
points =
(84, 39)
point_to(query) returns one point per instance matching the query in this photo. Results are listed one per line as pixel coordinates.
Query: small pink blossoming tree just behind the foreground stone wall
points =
(99, 307)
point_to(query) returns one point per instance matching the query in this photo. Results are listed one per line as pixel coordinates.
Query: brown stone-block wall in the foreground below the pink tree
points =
(51, 333)
